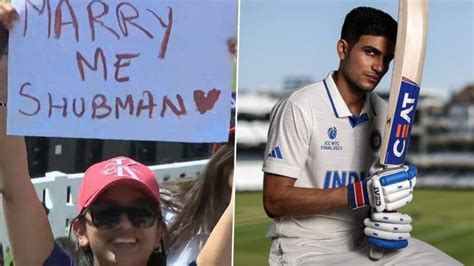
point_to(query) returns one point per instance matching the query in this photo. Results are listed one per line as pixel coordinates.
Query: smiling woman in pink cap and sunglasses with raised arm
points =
(119, 218)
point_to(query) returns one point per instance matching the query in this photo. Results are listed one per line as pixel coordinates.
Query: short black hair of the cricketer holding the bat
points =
(368, 21)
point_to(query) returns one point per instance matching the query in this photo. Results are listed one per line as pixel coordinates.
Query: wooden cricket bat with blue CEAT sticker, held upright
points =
(405, 86)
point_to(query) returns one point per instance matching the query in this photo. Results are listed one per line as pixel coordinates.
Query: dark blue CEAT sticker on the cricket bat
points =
(402, 122)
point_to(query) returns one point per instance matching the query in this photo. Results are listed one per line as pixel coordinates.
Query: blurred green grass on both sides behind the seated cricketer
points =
(442, 218)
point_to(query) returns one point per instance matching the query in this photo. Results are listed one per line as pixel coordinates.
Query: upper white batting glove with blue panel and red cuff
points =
(387, 189)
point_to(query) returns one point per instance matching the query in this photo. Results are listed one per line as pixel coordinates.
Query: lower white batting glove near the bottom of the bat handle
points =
(388, 230)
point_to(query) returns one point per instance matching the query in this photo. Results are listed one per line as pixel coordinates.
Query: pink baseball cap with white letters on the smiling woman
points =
(118, 170)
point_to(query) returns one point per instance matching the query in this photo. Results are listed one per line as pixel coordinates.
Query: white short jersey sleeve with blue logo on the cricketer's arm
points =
(288, 140)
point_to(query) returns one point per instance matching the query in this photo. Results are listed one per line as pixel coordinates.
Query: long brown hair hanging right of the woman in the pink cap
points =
(204, 200)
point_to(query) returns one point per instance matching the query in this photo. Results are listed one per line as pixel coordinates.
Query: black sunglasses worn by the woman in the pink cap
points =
(107, 216)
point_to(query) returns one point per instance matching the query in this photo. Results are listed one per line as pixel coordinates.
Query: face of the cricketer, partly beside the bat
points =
(367, 61)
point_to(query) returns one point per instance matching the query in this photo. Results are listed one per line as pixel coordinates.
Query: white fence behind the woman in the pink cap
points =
(58, 191)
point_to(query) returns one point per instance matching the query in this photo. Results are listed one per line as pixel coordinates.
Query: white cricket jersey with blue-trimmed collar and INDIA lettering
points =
(315, 139)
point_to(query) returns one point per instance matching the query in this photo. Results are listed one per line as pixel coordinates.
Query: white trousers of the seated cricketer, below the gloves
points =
(298, 251)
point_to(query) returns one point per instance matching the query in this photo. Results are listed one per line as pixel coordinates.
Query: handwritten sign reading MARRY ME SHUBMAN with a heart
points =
(137, 69)
